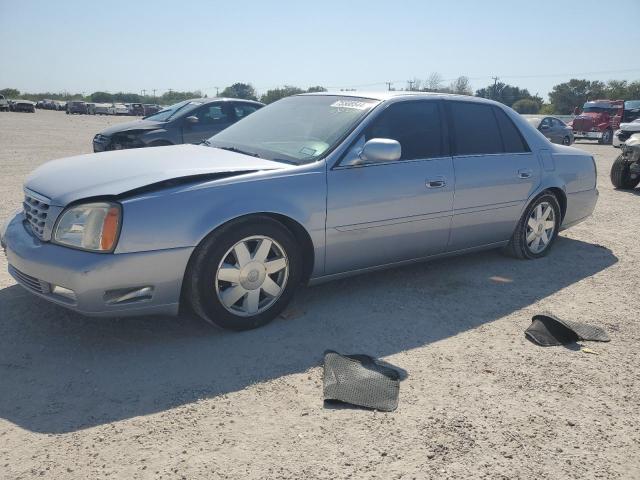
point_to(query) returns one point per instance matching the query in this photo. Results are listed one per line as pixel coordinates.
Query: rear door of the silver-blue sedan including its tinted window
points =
(495, 171)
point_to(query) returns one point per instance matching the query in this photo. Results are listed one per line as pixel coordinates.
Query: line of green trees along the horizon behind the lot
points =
(563, 97)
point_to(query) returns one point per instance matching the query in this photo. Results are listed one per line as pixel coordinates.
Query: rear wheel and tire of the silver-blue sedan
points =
(522, 244)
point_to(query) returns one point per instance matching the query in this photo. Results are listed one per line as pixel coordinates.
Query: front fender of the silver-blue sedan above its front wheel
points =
(183, 216)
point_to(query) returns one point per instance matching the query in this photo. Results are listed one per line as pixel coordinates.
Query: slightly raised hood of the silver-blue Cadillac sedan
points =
(116, 172)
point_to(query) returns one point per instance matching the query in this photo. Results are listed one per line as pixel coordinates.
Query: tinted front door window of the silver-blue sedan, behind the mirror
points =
(416, 125)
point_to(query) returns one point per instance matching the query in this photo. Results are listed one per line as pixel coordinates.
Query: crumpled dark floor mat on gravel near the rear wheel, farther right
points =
(548, 330)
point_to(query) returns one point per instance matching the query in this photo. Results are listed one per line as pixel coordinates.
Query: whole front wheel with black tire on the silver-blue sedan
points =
(215, 271)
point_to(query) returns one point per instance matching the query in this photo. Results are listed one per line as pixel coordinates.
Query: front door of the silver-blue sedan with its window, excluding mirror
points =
(385, 213)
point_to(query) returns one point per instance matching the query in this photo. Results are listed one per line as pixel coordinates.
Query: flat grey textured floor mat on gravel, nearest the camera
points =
(360, 380)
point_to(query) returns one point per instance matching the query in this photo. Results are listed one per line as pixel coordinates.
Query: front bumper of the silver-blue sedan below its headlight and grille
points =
(96, 279)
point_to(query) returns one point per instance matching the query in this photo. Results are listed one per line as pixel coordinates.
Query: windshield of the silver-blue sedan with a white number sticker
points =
(297, 129)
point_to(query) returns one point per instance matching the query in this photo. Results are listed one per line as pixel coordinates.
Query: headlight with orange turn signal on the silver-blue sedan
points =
(90, 226)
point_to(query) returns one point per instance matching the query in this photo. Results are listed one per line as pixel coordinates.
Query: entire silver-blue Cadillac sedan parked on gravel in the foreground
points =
(310, 188)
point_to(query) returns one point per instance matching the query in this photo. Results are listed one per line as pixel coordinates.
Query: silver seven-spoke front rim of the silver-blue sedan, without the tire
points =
(252, 275)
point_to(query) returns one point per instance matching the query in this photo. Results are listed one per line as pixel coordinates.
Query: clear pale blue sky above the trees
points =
(86, 46)
